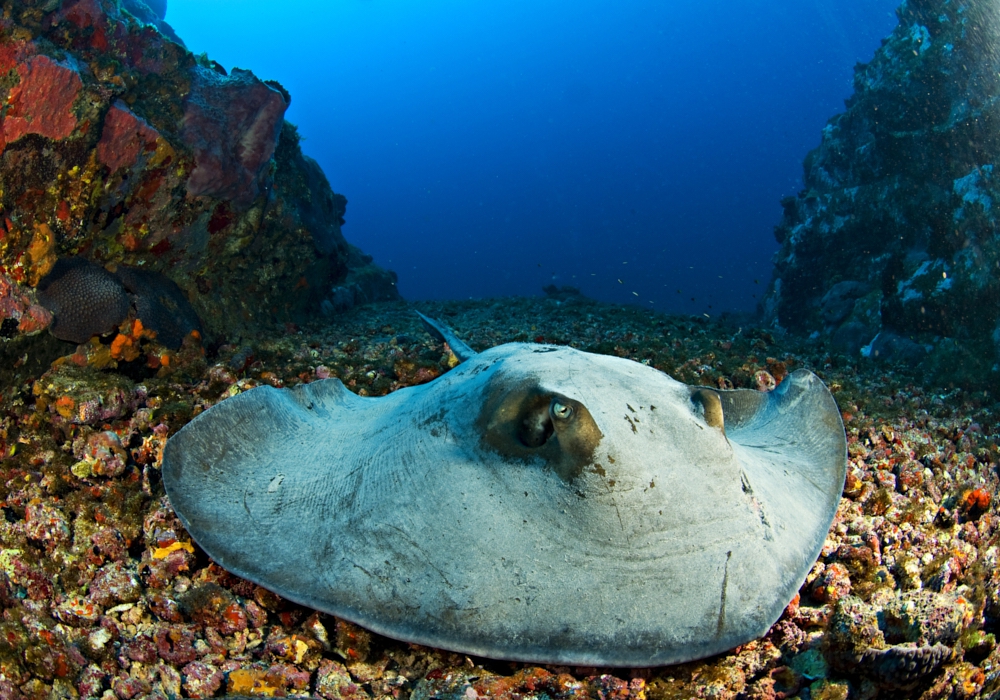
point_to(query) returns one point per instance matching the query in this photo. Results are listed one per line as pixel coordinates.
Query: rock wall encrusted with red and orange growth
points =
(120, 146)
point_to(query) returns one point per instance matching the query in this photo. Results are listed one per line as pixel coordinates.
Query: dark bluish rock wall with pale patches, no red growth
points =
(891, 249)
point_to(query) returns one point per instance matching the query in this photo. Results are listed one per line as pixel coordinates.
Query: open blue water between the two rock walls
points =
(638, 150)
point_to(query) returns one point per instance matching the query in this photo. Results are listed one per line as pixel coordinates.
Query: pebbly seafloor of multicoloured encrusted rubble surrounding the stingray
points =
(104, 594)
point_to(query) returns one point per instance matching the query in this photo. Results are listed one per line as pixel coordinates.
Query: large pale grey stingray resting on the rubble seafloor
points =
(535, 503)
